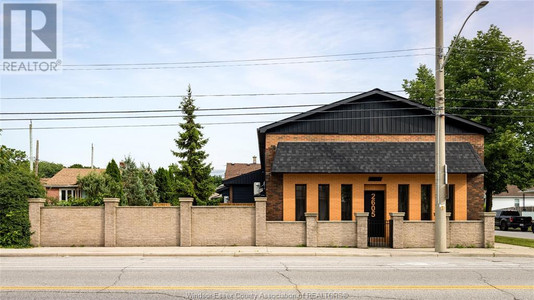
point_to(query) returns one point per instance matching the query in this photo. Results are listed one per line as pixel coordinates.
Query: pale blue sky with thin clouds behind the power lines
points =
(135, 32)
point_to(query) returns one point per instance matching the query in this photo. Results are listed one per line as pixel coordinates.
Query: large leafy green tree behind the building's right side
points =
(490, 67)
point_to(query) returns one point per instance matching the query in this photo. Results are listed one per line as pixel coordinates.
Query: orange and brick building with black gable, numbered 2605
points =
(373, 152)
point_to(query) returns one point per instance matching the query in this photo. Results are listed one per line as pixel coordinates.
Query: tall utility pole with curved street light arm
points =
(440, 164)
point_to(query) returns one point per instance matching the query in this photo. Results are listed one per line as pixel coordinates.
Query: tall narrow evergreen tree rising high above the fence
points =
(194, 169)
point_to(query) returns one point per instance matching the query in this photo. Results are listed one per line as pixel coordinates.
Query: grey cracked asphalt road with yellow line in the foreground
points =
(266, 278)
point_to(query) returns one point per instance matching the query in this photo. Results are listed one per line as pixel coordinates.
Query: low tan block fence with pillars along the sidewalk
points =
(186, 225)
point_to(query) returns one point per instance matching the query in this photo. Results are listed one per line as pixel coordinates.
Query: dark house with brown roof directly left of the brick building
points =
(241, 182)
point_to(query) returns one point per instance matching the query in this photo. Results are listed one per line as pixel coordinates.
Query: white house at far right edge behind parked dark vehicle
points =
(515, 199)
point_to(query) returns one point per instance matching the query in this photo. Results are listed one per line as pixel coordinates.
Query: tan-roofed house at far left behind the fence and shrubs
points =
(63, 185)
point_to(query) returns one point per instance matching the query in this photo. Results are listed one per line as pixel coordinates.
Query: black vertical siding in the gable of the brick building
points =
(370, 116)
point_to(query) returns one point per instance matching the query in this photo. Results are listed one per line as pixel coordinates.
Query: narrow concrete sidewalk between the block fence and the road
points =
(500, 250)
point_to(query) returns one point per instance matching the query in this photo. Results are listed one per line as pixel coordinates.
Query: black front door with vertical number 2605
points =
(374, 205)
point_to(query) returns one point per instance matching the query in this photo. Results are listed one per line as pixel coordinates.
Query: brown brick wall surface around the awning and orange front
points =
(274, 182)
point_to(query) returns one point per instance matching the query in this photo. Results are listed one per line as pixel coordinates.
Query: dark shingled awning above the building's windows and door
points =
(398, 158)
